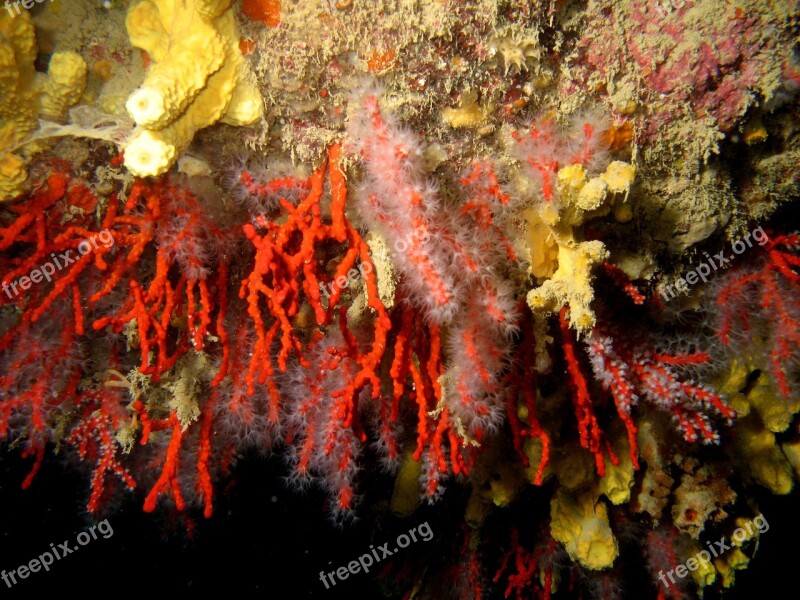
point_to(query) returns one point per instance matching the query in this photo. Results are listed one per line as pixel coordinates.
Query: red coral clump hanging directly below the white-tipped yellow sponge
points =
(188, 241)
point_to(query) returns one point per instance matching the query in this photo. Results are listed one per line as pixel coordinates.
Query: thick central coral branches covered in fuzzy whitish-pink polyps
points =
(452, 265)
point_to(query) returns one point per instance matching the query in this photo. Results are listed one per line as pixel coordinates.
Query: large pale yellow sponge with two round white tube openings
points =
(198, 78)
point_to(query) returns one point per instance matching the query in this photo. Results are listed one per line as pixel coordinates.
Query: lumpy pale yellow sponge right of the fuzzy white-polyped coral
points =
(555, 255)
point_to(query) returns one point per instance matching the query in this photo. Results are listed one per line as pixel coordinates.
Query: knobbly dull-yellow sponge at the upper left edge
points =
(25, 95)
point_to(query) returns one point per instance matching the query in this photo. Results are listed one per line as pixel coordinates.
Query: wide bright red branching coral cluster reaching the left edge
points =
(171, 219)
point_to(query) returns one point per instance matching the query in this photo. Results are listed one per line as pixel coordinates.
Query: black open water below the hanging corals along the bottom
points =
(257, 546)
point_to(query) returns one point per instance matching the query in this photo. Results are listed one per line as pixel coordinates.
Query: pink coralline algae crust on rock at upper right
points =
(700, 58)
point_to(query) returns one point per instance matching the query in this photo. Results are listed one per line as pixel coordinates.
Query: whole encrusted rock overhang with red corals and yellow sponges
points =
(434, 240)
